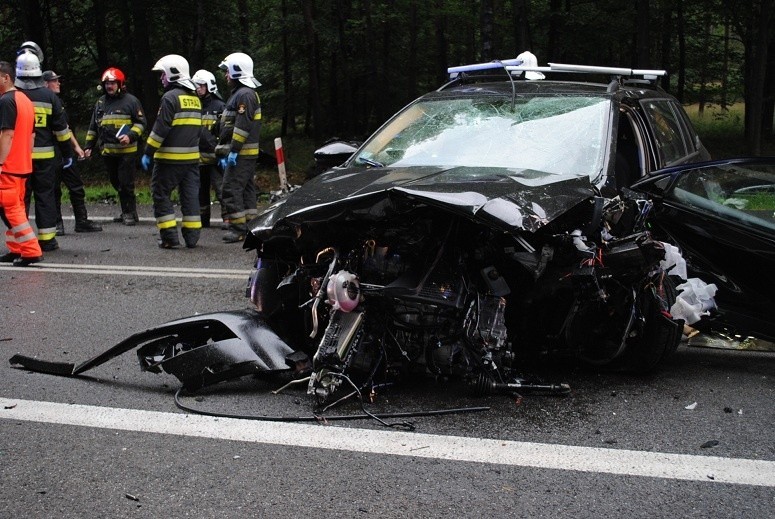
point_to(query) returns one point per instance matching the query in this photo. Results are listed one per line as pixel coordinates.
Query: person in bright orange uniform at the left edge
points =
(17, 133)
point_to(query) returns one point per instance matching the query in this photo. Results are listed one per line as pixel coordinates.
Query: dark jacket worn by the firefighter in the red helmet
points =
(111, 114)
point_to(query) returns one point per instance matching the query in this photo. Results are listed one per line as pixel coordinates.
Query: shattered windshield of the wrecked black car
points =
(562, 135)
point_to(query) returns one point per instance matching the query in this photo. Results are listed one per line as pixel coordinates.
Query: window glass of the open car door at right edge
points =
(743, 194)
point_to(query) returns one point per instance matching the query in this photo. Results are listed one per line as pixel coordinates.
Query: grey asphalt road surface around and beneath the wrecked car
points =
(693, 440)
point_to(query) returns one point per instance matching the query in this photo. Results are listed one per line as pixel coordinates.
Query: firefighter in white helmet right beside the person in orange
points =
(51, 131)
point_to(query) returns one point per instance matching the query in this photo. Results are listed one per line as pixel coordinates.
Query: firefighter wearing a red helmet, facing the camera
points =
(117, 123)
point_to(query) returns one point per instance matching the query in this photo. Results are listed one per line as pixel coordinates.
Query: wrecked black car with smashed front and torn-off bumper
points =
(503, 219)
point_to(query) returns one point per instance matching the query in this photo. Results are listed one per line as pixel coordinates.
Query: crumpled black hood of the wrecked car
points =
(509, 199)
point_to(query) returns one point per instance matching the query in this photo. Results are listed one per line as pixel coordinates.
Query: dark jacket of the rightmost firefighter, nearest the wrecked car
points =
(241, 124)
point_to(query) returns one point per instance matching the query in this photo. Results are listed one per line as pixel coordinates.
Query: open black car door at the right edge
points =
(722, 216)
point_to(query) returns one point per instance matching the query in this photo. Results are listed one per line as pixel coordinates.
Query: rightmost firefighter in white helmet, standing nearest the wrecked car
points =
(238, 144)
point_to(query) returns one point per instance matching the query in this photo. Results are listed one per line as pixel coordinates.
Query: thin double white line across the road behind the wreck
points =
(130, 270)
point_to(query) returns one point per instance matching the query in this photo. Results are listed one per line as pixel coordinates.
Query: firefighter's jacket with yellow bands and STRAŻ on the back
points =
(175, 136)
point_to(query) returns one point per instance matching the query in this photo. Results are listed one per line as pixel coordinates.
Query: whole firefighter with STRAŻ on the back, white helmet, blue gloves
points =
(173, 149)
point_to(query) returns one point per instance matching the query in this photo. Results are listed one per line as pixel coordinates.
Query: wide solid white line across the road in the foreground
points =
(709, 469)
